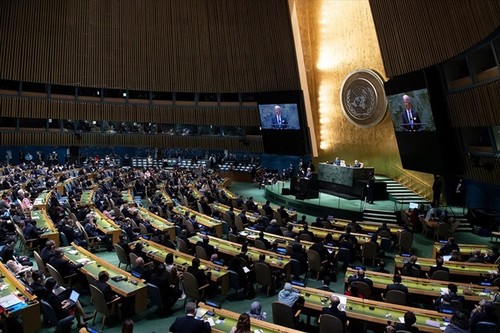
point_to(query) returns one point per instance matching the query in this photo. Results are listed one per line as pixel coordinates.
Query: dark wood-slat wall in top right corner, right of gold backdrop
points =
(414, 34)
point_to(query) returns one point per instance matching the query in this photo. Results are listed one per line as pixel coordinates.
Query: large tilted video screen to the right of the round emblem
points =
(411, 111)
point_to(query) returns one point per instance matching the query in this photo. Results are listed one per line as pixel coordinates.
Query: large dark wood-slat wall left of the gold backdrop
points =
(174, 45)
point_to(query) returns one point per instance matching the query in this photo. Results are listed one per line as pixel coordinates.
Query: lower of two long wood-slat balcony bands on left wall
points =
(253, 144)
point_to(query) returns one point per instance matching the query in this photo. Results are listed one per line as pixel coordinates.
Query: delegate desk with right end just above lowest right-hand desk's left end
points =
(233, 249)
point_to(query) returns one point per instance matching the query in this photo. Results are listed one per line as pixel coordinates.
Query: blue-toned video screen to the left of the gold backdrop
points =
(279, 116)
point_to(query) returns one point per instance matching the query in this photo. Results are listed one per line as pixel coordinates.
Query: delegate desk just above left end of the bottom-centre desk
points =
(157, 252)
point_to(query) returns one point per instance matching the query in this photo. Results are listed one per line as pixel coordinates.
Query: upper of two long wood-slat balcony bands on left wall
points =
(42, 108)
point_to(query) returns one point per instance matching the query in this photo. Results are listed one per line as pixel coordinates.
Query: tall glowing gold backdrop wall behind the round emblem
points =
(338, 37)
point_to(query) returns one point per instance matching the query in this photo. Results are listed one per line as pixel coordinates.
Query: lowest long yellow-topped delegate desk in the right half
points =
(369, 311)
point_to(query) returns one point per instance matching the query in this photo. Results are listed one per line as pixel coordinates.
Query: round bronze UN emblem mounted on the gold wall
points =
(363, 98)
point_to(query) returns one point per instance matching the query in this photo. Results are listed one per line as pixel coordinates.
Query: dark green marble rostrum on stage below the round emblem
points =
(348, 180)
